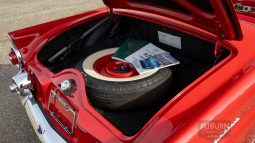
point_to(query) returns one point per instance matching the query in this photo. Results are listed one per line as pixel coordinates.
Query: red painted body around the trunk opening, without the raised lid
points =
(225, 92)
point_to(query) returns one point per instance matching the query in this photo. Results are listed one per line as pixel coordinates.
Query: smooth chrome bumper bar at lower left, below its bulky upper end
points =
(41, 126)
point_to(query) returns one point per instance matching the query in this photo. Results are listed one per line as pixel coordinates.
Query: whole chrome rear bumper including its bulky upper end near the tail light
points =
(41, 126)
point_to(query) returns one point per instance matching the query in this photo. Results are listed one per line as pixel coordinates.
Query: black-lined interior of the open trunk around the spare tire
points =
(196, 56)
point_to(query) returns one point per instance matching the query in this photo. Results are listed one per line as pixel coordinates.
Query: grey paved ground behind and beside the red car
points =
(17, 14)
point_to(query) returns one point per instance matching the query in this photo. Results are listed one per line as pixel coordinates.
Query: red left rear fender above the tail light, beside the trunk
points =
(37, 36)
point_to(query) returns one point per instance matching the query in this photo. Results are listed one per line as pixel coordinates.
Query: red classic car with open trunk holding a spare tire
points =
(73, 91)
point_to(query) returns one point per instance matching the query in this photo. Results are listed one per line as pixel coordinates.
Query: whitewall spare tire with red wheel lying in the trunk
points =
(123, 90)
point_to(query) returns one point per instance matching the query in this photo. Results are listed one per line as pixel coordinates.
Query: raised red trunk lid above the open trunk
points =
(215, 16)
